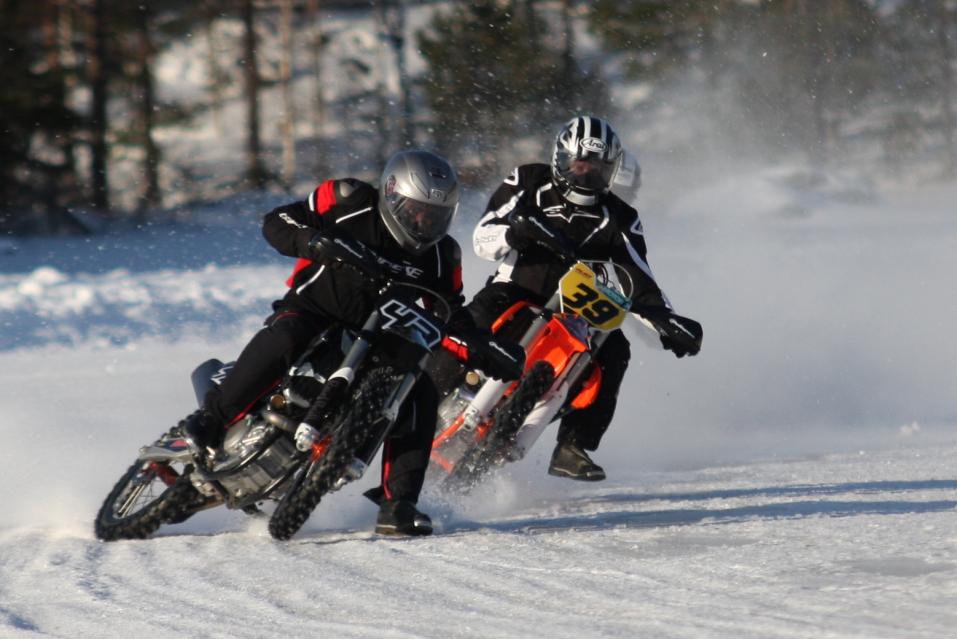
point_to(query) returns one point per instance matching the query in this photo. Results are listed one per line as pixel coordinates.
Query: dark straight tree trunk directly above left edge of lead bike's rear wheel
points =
(96, 62)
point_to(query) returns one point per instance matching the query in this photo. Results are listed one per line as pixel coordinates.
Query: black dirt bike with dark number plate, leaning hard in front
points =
(349, 383)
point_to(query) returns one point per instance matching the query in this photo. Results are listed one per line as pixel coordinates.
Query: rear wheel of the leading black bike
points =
(149, 494)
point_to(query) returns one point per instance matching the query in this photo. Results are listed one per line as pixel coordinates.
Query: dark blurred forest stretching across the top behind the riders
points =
(843, 80)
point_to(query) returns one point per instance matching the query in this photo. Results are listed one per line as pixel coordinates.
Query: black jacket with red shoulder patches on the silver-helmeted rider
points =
(339, 292)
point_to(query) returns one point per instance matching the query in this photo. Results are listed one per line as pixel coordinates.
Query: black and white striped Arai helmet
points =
(586, 159)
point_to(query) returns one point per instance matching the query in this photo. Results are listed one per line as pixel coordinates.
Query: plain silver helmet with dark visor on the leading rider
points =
(418, 196)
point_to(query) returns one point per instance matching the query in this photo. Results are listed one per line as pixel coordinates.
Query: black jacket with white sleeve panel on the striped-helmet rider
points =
(608, 231)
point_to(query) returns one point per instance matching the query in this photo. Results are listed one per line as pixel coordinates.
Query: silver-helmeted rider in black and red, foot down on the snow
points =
(405, 223)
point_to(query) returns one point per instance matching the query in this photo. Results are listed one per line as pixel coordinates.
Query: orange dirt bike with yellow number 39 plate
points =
(484, 423)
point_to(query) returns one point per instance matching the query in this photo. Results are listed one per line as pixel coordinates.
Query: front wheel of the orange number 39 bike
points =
(493, 450)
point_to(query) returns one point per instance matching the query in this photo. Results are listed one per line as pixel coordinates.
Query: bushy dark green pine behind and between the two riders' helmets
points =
(493, 78)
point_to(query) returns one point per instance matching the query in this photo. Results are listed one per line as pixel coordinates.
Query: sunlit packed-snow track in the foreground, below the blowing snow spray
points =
(834, 546)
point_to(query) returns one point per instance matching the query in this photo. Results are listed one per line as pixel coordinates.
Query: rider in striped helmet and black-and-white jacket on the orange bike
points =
(567, 207)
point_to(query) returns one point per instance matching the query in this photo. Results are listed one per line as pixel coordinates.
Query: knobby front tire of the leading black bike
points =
(366, 405)
